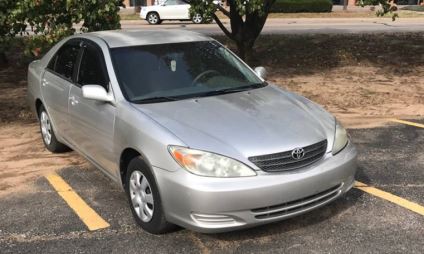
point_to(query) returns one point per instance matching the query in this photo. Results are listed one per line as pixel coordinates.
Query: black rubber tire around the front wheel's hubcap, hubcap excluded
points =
(158, 223)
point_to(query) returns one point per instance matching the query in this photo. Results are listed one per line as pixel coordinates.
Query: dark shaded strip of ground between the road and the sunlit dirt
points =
(302, 54)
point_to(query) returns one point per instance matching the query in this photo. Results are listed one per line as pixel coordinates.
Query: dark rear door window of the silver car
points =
(63, 63)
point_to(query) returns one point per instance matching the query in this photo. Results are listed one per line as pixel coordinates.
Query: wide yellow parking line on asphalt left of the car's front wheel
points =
(91, 219)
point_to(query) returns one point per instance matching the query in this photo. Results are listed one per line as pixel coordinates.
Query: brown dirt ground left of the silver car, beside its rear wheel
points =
(22, 154)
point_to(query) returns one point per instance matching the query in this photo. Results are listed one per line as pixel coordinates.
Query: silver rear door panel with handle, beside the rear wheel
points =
(55, 92)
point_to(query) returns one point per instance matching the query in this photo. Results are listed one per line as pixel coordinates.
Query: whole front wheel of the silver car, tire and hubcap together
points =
(144, 198)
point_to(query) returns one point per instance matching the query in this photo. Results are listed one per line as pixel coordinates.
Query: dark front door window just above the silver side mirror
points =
(92, 70)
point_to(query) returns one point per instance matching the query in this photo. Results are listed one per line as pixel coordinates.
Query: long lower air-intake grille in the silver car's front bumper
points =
(298, 206)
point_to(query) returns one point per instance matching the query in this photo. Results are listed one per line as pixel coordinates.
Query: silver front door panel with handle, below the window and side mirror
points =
(92, 128)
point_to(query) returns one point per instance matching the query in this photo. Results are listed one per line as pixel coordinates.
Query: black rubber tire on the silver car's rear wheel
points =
(52, 144)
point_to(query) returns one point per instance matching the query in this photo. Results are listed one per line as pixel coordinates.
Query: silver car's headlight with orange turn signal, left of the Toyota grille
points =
(209, 164)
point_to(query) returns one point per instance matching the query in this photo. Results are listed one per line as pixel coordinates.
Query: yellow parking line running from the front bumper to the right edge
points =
(390, 197)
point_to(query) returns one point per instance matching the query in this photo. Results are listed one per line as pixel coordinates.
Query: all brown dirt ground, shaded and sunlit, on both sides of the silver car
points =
(363, 80)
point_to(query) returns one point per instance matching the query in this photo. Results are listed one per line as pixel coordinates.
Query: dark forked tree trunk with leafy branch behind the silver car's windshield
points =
(247, 18)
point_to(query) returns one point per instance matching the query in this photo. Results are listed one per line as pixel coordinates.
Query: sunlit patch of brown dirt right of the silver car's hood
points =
(359, 96)
